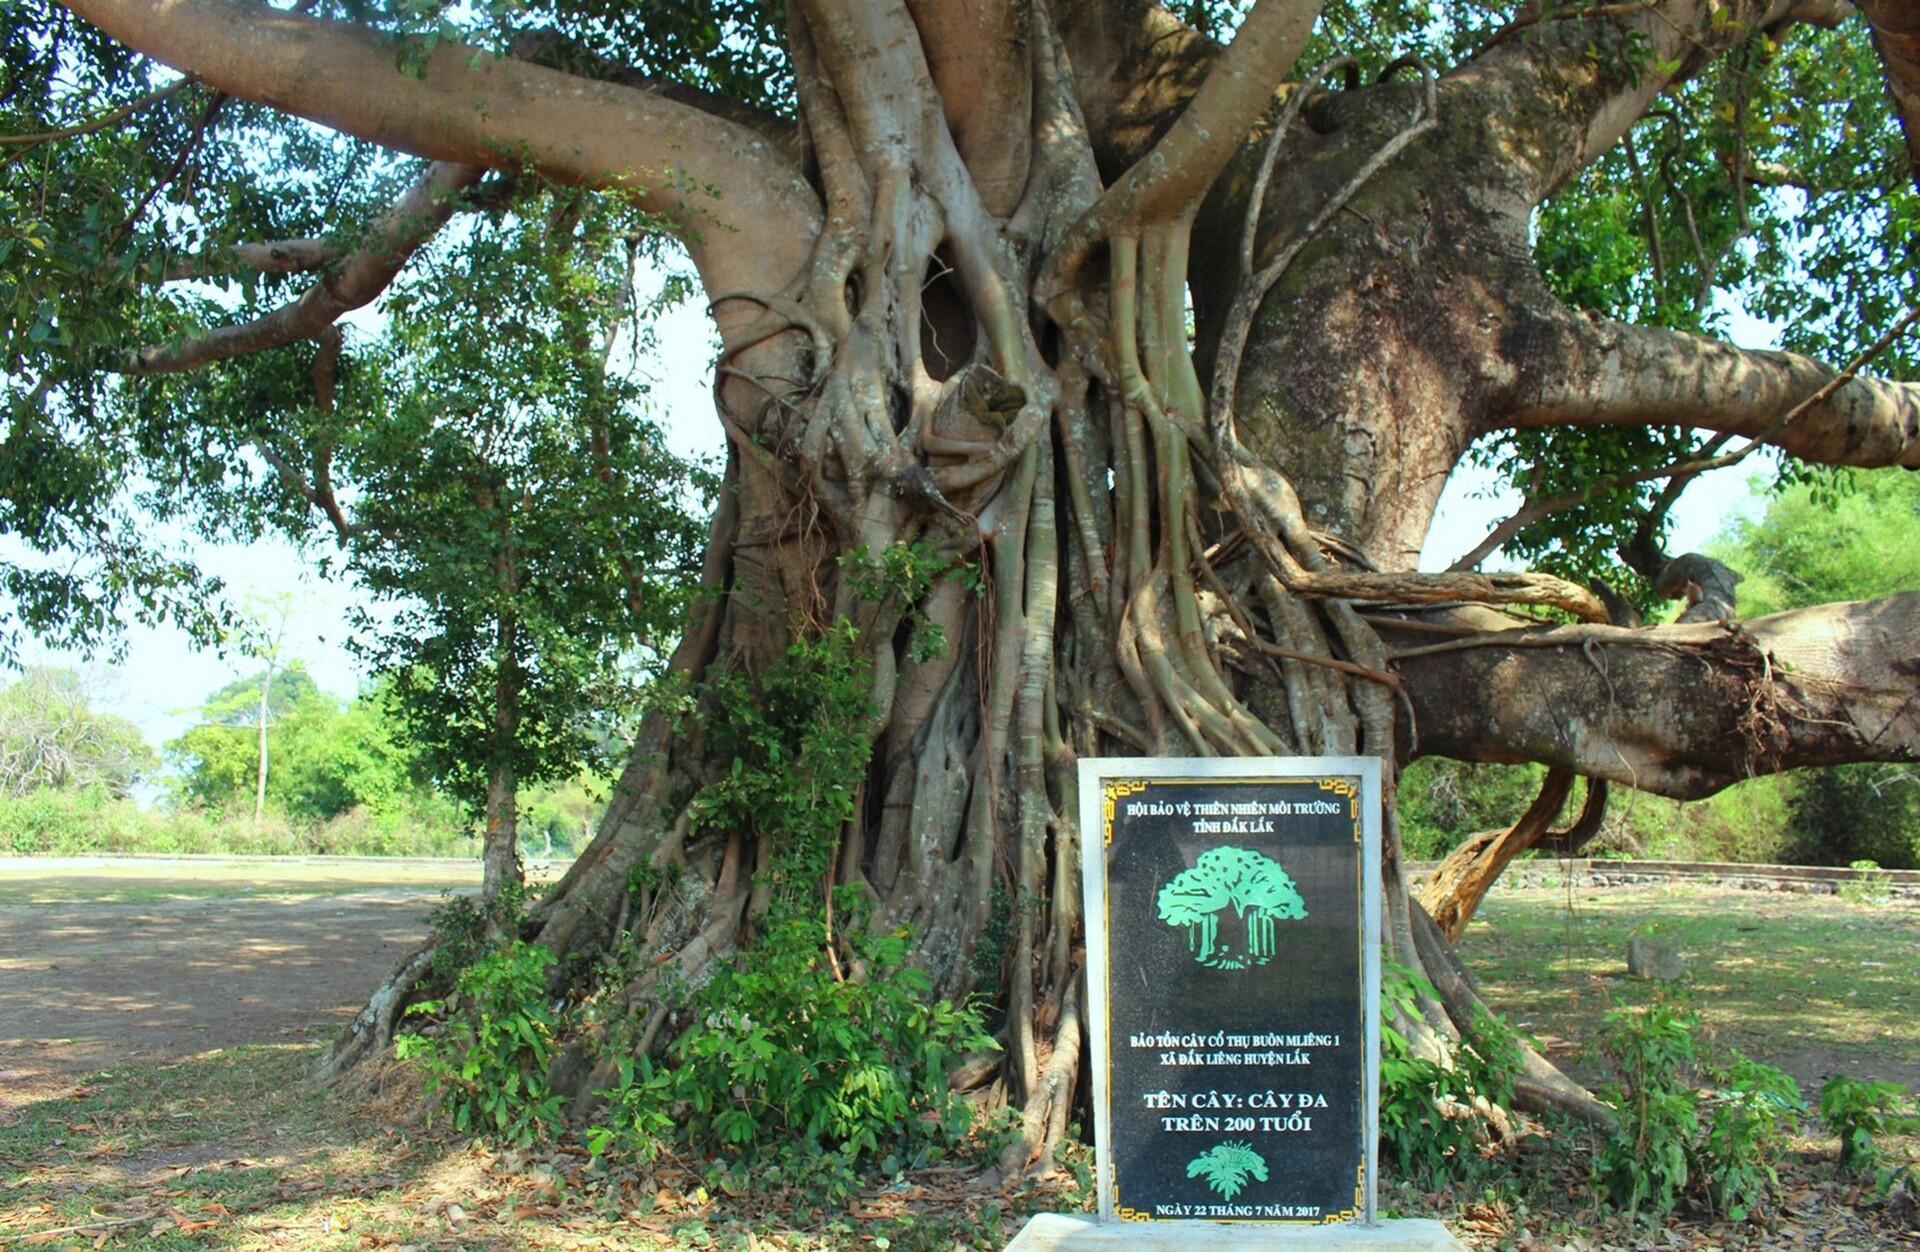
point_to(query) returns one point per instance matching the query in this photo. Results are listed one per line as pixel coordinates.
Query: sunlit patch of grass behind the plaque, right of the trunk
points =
(1808, 982)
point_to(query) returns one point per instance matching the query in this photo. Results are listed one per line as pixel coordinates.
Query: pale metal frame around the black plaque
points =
(1097, 817)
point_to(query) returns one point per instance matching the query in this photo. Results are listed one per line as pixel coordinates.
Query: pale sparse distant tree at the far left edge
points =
(51, 738)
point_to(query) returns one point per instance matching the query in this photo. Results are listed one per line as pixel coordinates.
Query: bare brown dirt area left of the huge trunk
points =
(114, 961)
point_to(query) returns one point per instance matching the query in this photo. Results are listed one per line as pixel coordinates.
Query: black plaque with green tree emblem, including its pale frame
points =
(1234, 980)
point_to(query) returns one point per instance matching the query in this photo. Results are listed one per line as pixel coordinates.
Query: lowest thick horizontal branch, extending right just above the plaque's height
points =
(1679, 711)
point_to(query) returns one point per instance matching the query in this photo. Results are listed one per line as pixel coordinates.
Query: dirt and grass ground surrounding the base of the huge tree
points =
(156, 1019)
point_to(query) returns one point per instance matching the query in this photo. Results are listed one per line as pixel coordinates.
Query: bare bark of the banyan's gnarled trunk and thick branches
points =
(955, 314)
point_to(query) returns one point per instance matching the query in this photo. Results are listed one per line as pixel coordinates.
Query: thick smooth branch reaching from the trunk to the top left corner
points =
(469, 108)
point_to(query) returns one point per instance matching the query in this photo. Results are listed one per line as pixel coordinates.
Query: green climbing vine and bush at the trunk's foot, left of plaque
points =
(807, 1038)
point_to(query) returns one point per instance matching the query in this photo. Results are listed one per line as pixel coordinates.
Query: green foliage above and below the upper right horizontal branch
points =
(1764, 181)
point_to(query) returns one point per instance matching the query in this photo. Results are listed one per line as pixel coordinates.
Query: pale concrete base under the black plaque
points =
(1078, 1232)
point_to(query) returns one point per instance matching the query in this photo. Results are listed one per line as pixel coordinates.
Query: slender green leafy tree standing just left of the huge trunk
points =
(537, 539)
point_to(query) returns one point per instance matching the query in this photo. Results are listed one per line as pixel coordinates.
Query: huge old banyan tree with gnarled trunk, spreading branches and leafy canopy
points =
(953, 254)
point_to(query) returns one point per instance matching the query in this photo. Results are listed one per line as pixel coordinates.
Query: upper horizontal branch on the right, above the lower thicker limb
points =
(1596, 373)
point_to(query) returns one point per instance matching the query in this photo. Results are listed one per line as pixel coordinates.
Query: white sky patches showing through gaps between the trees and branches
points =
(162, 679)
